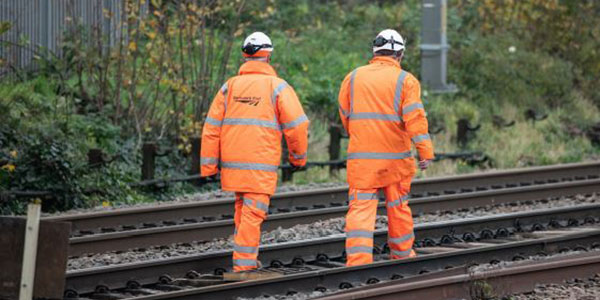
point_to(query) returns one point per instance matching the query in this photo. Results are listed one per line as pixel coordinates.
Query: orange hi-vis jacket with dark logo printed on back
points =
(243, 130)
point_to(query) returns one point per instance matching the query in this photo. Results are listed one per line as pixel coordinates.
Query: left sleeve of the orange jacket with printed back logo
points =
(211, 134)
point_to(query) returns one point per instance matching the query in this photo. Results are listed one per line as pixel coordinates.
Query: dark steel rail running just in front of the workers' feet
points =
(384, 270)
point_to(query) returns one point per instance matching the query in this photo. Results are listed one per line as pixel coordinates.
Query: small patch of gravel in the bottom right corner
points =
(577, 289)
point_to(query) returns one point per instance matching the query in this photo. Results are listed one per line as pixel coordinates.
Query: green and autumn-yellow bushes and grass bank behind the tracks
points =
(505, 57)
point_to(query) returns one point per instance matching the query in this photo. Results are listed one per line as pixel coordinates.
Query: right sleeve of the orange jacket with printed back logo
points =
(294, 124)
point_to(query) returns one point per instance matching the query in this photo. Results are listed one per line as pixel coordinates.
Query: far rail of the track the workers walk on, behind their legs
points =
(148, 272)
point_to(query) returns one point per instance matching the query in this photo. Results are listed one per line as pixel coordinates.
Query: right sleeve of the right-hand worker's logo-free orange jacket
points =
(415, 120)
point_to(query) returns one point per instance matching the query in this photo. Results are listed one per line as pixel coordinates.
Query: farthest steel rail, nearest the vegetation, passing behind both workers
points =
(316, 198)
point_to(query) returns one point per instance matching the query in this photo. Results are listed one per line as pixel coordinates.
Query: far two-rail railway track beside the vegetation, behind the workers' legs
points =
(99, 232)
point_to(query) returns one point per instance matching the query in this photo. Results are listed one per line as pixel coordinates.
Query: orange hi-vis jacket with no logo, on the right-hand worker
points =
(381, 109)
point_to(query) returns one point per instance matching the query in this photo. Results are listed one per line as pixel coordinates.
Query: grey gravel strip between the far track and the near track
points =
(309, 231)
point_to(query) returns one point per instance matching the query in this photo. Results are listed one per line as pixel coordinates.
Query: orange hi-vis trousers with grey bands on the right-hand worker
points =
(360, 223)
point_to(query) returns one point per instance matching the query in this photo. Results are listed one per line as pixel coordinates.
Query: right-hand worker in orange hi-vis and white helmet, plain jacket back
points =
(381, 109)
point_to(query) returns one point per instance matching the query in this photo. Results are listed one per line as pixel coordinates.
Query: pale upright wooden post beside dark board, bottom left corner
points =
(30, 250)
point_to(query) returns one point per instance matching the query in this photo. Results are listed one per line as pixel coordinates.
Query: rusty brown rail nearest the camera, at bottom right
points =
(509, 280)
